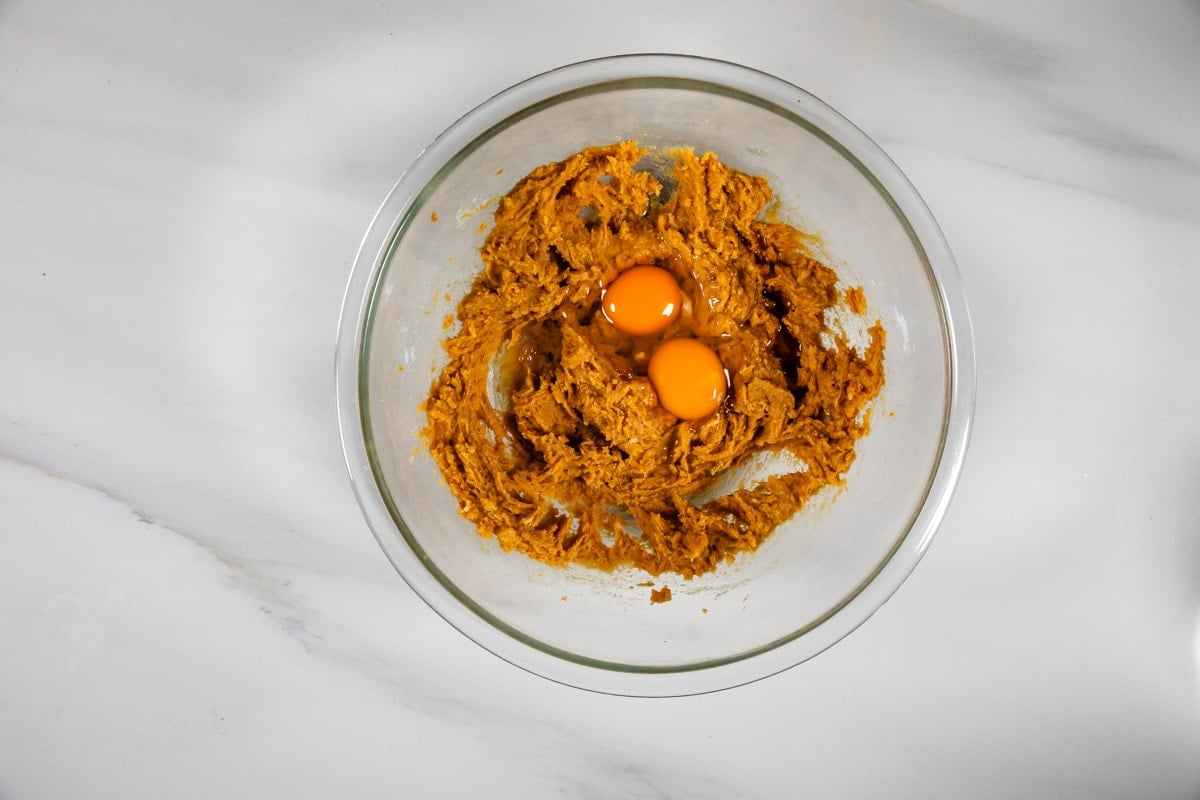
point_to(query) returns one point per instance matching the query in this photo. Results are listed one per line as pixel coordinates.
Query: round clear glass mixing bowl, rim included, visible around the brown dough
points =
(820, 575)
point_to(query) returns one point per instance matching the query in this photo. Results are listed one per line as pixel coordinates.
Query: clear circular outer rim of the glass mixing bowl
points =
(709, 75)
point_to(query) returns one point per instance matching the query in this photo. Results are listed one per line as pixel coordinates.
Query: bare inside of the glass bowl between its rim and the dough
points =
(814, 564)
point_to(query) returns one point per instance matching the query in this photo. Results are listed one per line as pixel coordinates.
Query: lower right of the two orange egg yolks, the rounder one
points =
(688, 377)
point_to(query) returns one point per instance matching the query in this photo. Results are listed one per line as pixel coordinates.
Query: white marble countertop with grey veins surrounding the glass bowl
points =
(191, 605)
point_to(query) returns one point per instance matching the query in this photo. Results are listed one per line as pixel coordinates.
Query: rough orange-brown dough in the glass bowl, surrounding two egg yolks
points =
(544, 423)
